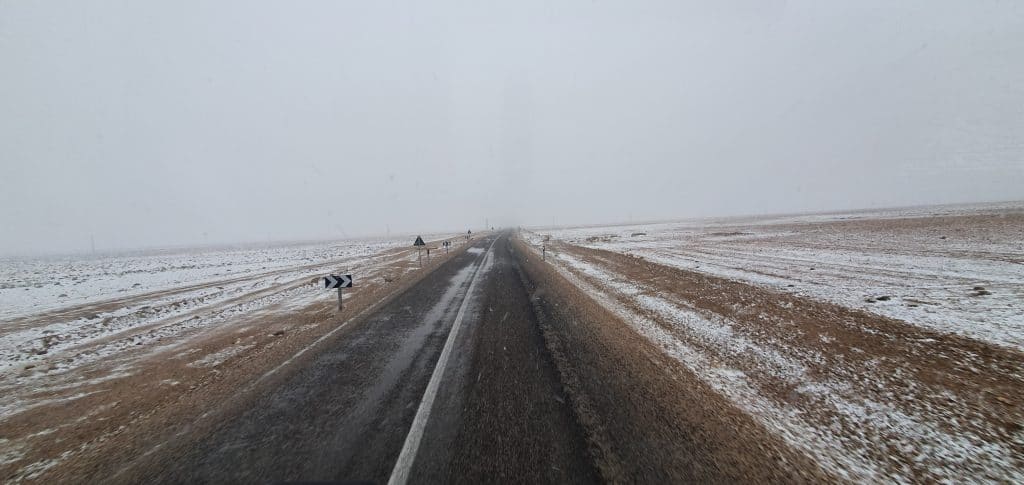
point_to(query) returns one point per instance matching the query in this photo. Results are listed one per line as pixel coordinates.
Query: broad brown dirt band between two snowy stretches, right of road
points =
(965, 385)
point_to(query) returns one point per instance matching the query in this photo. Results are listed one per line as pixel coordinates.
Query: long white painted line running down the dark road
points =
(400, 475)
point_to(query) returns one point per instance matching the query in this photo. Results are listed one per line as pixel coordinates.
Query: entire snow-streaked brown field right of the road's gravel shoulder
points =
(842, 334)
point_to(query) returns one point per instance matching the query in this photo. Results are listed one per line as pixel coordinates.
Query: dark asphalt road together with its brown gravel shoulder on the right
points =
(483, 371)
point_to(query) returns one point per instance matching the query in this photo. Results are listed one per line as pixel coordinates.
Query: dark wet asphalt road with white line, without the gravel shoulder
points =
(495, 411)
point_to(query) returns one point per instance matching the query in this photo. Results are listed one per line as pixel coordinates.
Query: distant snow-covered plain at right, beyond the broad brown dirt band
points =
(954, 269)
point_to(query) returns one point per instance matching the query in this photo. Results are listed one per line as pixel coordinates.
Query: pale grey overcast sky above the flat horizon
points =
(154, 124)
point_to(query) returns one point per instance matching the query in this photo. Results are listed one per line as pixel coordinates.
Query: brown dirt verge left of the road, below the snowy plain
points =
(122, 418)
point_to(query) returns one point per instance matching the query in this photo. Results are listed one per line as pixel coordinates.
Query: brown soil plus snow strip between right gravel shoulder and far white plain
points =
(952, 400)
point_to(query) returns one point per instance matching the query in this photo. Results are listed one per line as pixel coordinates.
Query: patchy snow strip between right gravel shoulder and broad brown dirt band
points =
(846, 432)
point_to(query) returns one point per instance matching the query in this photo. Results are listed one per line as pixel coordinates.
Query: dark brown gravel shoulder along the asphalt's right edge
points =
(650, 419)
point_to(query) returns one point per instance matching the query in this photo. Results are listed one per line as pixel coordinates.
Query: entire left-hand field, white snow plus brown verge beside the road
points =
(90, 339)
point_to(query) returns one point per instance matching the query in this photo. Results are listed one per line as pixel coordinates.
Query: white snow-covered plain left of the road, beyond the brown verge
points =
(58, 315)
